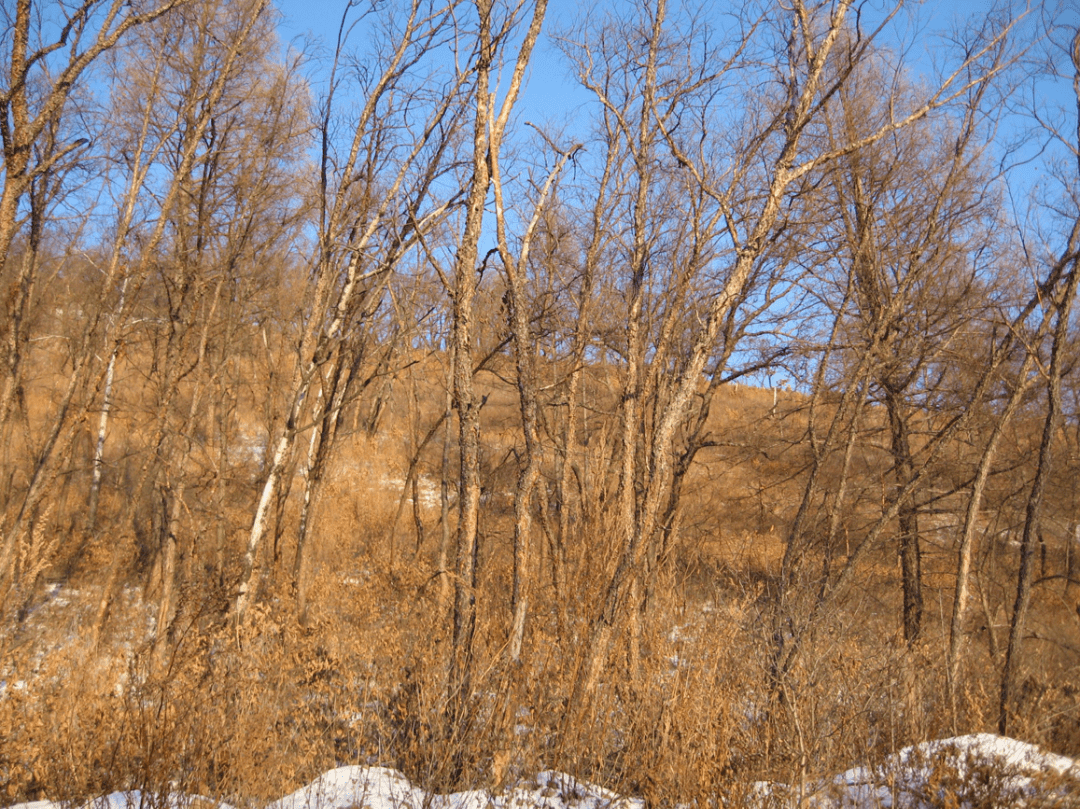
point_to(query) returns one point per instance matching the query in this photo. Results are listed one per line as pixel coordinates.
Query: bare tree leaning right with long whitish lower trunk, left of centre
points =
(375, 204)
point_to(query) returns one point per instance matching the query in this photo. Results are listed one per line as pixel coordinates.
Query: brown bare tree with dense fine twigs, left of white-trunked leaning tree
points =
(233, 211)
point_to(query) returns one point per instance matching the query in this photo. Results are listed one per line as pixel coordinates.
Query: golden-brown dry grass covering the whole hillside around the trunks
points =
(250, 714)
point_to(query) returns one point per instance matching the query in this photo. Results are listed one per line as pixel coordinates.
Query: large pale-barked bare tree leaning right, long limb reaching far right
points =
(745, 206)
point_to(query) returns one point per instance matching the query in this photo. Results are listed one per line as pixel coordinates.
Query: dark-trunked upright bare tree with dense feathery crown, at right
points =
(915, 224)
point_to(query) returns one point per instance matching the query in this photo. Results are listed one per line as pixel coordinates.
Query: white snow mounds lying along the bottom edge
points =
(970, 772)
